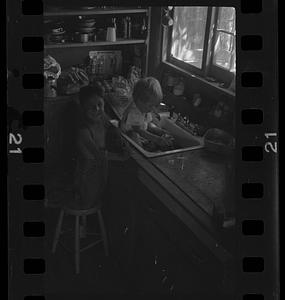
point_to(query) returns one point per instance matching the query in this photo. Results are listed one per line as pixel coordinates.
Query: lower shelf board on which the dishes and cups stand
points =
(99, 43)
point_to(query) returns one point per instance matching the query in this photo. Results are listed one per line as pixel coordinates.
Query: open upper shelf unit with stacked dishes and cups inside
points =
(88, 26)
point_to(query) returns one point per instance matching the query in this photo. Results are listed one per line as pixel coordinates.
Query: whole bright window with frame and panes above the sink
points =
(202, 41)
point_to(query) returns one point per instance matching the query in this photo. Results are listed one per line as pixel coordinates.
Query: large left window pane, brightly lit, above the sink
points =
(188, 34)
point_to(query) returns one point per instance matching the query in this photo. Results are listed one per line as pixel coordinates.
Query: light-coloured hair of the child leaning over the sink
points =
(147, 89)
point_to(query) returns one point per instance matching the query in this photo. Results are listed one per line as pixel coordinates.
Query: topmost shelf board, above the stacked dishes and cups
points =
(69, 12)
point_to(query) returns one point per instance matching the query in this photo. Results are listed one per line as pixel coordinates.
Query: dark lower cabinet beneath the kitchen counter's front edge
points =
(170, 259)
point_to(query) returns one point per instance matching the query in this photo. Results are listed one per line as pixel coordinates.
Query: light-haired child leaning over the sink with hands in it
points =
(137, 120)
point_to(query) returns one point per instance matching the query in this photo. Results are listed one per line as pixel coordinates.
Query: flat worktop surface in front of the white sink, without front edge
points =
(203, 176)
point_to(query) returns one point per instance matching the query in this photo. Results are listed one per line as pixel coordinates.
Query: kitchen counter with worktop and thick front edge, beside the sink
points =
(194, 186)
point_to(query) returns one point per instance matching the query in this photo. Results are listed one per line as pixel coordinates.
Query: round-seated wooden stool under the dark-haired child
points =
(80, 231)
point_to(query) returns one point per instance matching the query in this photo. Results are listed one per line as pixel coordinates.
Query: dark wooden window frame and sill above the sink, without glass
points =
(208, 69)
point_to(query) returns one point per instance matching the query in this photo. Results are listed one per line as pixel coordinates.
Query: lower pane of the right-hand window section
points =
(224, 53)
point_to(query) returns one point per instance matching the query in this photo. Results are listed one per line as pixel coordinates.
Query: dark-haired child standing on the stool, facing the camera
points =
(94, 135)
